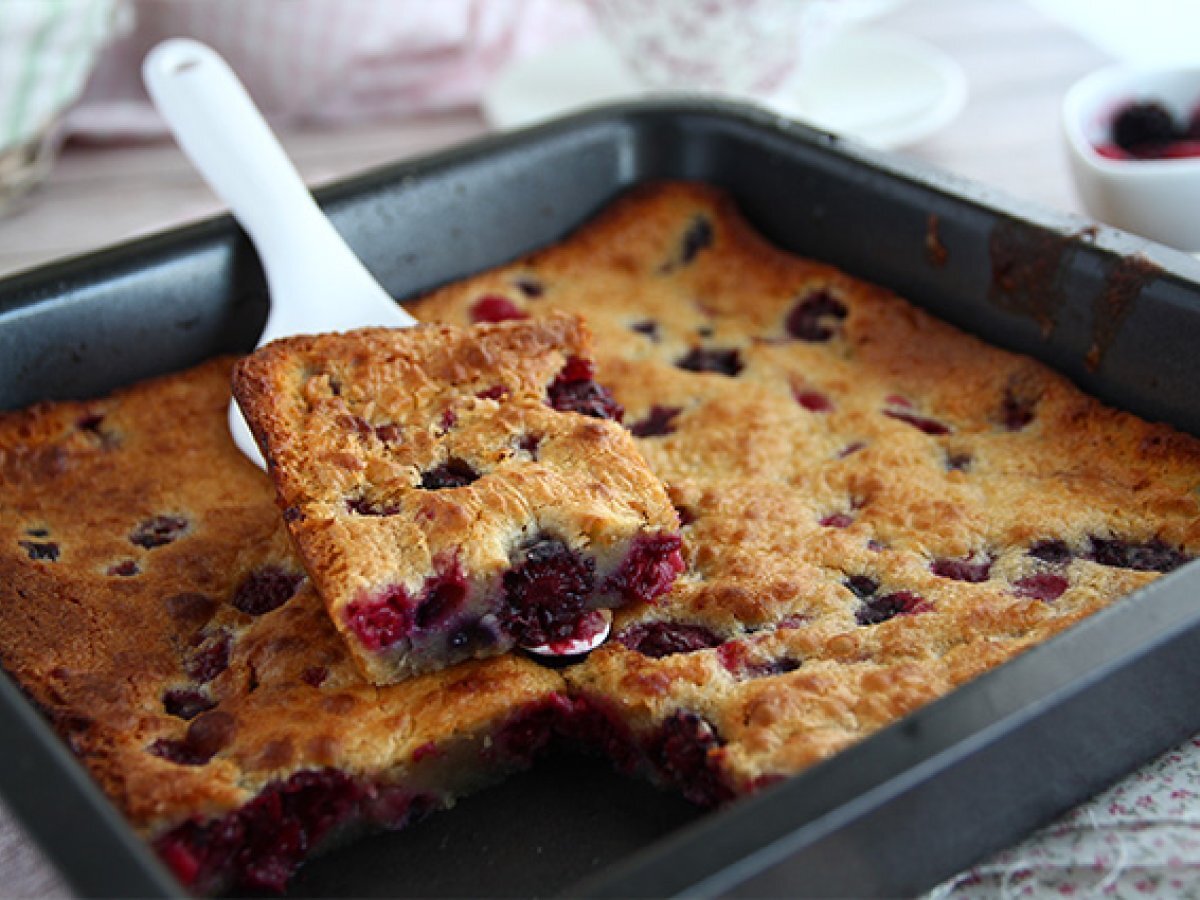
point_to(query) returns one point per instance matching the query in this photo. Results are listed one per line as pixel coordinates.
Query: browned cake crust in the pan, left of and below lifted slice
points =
(100, 651)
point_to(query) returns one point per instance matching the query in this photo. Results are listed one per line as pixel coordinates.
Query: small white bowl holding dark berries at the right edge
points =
(1156, 199)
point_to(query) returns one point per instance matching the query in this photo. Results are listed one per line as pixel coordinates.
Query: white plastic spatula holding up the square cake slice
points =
(316, 283)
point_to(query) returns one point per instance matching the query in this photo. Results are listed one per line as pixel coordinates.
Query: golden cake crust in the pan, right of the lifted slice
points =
(1027, 459)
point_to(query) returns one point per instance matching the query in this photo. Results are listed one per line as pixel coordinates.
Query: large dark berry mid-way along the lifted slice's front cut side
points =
(545, 592)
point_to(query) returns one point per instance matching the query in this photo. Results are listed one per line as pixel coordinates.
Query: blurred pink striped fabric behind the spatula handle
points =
(329, 61)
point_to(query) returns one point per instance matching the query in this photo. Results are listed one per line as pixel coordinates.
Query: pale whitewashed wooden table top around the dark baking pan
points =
(1017, 62)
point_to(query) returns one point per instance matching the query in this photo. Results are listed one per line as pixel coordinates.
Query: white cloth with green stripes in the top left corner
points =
(47, 51)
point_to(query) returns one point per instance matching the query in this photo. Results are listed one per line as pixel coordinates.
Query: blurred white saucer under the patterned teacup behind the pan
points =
(885, 89)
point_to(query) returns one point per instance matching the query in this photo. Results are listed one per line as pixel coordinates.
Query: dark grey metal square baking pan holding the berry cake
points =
(892, 815)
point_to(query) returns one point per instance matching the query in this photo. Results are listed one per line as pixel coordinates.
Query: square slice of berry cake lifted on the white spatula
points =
(458, 493)
